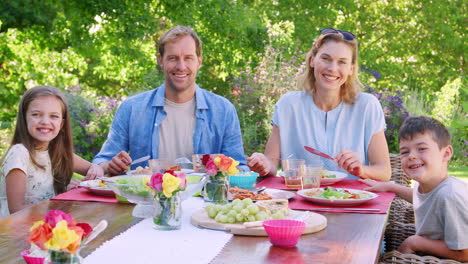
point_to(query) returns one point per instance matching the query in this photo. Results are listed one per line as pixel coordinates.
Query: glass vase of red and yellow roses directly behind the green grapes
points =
(218, 168)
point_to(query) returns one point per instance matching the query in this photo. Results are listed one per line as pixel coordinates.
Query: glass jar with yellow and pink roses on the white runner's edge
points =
(167, 205)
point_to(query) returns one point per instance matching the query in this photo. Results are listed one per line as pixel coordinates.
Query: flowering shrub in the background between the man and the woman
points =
(257, 90)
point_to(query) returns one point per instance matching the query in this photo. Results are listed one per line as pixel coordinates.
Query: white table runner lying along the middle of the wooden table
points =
(143, 244)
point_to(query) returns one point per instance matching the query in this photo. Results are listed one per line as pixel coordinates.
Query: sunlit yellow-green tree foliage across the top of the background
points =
(107, 47)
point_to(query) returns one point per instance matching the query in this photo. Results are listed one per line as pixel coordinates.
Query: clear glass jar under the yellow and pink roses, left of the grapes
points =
(167, 213)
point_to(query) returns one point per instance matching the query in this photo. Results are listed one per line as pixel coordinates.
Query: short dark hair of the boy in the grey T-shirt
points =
(423, 124)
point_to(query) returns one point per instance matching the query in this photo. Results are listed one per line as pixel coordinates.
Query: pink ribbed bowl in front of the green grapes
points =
(284, 232)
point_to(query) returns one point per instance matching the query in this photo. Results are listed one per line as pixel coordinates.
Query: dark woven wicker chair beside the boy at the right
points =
(401, 225)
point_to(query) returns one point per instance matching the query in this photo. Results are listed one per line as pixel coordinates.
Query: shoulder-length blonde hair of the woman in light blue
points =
(351, 87)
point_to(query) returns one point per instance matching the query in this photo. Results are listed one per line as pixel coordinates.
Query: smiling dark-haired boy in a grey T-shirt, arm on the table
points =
(439, 200)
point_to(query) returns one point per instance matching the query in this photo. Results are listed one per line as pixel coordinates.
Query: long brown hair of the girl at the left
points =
(60, 148)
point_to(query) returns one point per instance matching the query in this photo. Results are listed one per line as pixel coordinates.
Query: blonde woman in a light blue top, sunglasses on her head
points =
(330, 114)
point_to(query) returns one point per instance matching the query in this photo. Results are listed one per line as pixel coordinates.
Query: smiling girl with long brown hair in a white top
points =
(40, 161)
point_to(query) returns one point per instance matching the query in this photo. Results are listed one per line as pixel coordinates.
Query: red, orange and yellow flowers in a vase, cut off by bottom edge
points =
(58, 238)
